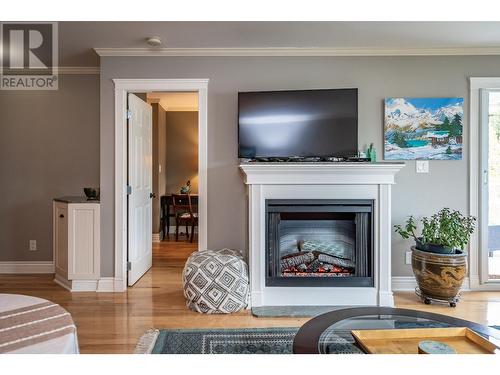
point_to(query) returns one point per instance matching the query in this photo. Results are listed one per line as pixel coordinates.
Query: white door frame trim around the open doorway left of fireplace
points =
(122, 88)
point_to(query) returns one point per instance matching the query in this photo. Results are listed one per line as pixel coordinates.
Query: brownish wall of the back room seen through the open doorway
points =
(182, 151)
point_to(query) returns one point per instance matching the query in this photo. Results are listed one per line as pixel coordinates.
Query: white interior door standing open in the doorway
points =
(140, 182)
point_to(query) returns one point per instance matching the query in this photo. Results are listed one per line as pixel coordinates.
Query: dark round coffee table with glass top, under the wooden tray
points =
(321, 333)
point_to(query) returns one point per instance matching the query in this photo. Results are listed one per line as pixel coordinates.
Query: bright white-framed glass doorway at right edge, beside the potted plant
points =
(484, 188)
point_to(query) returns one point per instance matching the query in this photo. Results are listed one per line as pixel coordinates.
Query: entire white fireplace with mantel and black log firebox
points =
(340, 213)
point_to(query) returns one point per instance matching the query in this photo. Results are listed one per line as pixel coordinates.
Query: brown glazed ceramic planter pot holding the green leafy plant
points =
(439, 276)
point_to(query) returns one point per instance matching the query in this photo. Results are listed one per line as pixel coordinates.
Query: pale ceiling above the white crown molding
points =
(77, 39)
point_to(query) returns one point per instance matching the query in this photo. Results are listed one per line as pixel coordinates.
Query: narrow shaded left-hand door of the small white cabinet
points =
(61, 238)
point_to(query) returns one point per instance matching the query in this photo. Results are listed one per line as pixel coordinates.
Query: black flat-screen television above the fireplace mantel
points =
(305, 123)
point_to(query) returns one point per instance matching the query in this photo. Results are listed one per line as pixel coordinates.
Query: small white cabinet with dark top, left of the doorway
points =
(76, 238)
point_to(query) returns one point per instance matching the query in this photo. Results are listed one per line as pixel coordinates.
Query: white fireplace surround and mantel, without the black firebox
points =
(320, 181)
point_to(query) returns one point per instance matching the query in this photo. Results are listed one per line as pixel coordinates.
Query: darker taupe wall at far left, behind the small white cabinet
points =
(49, 146)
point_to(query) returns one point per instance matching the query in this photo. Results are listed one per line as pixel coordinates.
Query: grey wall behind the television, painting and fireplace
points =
(376, 78)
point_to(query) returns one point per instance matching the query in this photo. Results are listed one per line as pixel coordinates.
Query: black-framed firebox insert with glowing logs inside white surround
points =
(319, 243)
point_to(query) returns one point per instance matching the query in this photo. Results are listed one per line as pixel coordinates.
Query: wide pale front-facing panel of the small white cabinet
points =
(83, 230)
